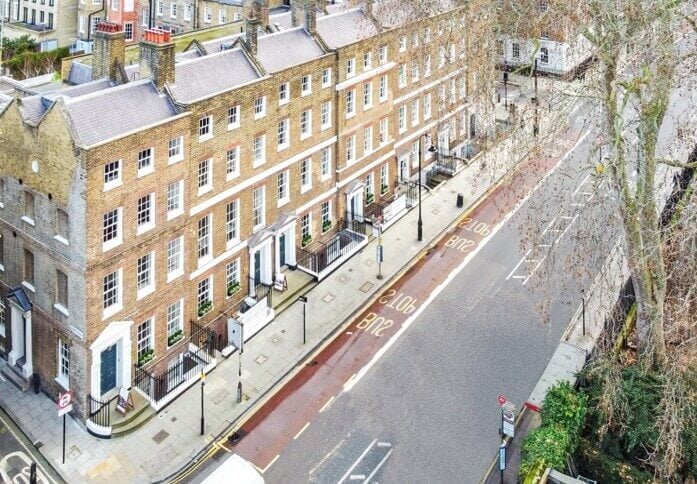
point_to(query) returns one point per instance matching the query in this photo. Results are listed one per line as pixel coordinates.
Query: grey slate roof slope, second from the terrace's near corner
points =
(212, 73)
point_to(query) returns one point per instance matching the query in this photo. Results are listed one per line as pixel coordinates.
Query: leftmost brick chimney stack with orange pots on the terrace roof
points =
(109, 54)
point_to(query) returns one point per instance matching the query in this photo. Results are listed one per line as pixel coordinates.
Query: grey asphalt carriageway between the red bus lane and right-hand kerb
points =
(433, 395)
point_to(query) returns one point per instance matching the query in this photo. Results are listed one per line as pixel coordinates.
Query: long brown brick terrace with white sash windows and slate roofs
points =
(132, 214)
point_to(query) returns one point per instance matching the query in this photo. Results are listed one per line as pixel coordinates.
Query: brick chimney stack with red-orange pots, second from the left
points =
(157, 57)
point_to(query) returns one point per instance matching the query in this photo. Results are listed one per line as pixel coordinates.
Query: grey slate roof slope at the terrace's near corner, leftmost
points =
(112, 112)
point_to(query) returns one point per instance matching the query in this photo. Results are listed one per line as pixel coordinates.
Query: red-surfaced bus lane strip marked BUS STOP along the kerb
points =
(287, 413)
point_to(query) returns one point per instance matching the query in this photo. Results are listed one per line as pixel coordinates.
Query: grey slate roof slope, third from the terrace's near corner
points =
(285, 49)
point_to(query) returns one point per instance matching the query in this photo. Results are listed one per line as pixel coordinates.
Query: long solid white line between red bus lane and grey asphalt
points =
(449, 278)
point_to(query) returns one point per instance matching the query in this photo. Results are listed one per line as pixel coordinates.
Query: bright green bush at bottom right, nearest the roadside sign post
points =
(545, 447)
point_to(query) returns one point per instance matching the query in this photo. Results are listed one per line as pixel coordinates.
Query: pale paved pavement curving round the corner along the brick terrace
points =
(171, 440)
